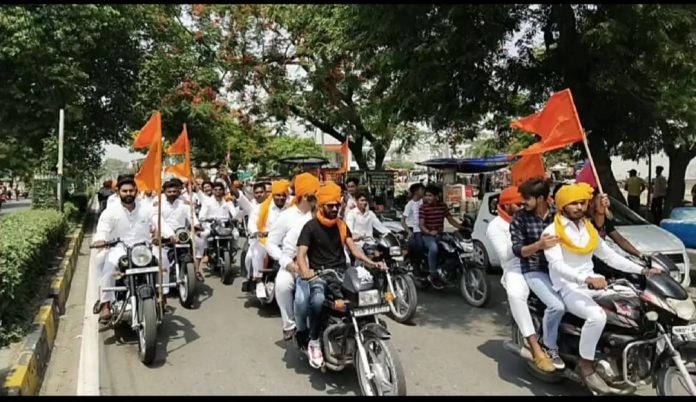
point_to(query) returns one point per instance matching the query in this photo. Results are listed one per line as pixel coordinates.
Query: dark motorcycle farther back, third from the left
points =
(221, 248)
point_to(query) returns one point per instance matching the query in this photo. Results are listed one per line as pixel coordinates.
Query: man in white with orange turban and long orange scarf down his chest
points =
(261, 222)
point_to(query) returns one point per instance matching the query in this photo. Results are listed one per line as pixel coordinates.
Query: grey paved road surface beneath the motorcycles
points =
(227, 345)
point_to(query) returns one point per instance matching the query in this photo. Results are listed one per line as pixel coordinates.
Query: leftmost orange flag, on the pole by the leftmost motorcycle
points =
(149, 178)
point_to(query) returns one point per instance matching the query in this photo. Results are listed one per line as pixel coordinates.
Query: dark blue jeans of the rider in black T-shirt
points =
(309, 301)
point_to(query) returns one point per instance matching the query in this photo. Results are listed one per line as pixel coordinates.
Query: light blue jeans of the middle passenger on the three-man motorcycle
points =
(540, 284)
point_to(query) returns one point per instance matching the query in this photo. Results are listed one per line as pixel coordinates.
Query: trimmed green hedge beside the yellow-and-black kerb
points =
(28, 242)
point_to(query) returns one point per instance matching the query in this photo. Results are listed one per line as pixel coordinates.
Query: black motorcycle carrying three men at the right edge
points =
(649, 335)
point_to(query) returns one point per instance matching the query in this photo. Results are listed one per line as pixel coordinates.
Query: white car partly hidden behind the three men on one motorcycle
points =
(644, 236)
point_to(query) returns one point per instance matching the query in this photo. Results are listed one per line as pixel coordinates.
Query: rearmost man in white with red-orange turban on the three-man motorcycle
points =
(513, 281)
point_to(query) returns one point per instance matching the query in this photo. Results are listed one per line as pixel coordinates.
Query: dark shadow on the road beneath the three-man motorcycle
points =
(511, 369)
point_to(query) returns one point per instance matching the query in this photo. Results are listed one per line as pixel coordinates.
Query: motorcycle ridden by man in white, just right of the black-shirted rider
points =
(387, 248)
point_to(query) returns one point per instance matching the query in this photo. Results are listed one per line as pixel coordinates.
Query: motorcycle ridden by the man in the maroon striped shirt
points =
(455, 260)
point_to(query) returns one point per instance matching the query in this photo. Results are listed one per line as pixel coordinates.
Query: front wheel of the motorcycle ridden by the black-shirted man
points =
(389, 378)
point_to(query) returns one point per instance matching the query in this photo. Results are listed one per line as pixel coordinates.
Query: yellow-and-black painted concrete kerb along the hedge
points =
(26, 375)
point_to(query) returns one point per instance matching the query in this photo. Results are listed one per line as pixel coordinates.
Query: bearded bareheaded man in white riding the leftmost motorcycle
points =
(132, 221)
